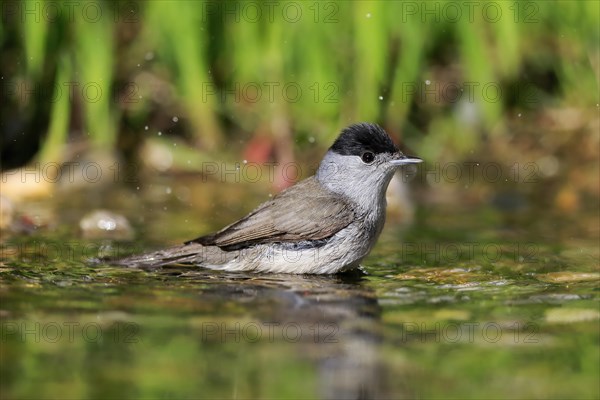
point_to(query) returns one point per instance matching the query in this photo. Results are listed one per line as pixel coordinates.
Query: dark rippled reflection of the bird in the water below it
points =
(340, 312)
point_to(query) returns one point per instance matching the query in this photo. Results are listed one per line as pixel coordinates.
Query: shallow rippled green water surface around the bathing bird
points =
(451, 307)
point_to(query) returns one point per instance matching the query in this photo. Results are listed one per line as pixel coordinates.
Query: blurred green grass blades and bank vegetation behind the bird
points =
(173, 84)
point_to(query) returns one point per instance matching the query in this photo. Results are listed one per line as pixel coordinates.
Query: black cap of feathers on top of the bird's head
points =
(358, 138)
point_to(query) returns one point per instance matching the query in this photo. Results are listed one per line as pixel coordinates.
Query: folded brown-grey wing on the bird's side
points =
(304, 211)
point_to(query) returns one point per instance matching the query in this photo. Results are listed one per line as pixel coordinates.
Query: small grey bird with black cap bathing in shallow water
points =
(322, 225)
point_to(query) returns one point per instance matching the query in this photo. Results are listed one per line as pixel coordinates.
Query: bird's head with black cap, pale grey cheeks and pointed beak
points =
(360, 164)
